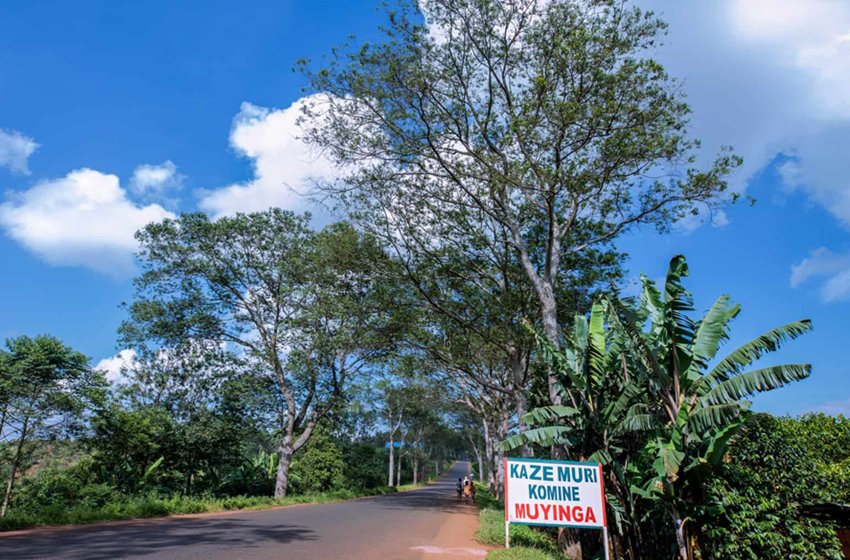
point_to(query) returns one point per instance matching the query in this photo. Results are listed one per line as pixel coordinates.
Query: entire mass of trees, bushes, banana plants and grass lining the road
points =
(471, 302)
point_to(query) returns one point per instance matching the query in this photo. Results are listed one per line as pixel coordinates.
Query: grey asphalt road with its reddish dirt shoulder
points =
(423, 523)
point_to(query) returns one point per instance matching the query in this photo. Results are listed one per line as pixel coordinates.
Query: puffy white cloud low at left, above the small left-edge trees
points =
(82, 219)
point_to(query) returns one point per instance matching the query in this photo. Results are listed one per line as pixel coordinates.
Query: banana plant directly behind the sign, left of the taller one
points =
(605, 407)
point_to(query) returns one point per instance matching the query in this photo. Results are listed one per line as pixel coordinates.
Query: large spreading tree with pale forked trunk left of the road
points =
(302, 307)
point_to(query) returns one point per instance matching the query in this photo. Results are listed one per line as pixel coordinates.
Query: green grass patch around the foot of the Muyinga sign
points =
(527, 543)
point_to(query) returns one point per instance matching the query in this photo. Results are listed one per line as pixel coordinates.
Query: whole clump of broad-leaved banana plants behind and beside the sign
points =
(644, 395)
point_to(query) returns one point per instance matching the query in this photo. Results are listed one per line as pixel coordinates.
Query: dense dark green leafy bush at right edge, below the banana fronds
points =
(776, 463)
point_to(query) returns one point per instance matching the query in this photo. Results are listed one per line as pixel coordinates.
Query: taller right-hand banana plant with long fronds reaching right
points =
(701, 406)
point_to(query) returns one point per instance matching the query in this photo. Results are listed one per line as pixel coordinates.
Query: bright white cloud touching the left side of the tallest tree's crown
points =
(283, 164)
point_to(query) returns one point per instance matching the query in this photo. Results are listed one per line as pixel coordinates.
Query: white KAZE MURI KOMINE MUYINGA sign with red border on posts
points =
(555, 494)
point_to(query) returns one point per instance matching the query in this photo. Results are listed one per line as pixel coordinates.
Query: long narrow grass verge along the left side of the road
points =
(152, 506)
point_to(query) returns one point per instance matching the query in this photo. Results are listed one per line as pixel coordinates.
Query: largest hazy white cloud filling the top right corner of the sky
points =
(768, 77)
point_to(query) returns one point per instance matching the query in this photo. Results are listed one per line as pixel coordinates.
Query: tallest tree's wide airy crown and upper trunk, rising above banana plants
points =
(549, 118)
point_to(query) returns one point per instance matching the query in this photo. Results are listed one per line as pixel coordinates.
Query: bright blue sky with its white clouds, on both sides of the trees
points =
(112, 115)
